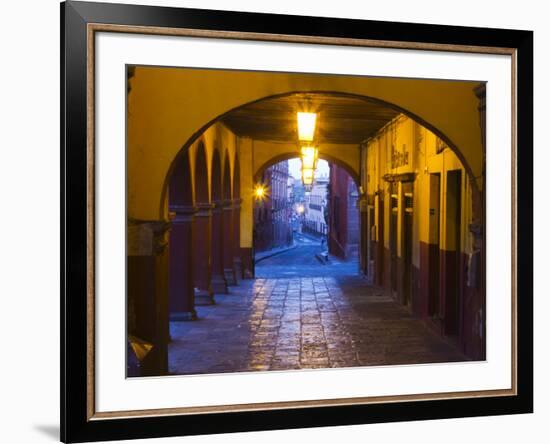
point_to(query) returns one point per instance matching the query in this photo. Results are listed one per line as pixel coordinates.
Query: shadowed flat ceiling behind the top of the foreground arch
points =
(340, 119)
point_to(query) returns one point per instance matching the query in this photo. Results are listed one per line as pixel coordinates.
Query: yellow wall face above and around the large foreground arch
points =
(169, 106)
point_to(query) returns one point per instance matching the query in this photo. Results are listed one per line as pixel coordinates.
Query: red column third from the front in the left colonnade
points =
(202, 251)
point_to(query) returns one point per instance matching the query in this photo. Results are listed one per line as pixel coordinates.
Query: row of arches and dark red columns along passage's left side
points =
(204, 215)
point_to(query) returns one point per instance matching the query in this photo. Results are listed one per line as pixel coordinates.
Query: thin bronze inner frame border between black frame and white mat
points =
(91, 29)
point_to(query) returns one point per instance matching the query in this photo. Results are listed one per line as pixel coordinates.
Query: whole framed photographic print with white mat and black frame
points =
(277, 221)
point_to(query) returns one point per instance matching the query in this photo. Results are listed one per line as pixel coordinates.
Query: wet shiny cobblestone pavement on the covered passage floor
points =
(299, 323)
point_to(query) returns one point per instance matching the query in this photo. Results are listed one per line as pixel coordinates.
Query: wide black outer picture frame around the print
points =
(75, 425)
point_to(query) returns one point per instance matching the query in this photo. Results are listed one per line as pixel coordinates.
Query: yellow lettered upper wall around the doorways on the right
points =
(405, 135)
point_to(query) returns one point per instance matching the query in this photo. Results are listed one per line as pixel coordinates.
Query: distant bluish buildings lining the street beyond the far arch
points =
(329, 210)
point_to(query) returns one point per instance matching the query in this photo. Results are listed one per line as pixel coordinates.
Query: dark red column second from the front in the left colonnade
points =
(181, 288)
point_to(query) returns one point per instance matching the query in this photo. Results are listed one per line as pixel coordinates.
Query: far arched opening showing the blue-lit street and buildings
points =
(306, 231)
